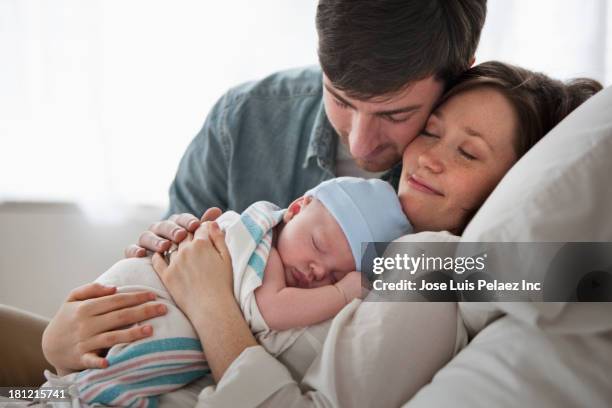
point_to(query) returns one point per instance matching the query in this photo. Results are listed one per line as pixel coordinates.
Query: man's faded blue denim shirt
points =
(266, 140)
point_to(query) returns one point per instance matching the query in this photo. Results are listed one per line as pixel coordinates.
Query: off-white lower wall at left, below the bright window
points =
(48, 249)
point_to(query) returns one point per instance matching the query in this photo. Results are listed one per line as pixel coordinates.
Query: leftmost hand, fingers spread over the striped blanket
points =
(93, 319)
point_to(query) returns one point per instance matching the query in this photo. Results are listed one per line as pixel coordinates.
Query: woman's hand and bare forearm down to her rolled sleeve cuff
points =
(199, 278)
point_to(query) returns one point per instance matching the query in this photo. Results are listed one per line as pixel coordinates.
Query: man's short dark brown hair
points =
(369, 48)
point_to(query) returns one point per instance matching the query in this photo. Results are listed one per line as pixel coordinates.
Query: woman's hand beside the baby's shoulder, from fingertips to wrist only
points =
(199, 270)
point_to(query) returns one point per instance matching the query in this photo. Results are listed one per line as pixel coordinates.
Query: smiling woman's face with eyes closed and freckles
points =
(453, 165)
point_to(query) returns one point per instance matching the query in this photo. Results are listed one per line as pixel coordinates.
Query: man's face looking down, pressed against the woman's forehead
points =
(378, 130)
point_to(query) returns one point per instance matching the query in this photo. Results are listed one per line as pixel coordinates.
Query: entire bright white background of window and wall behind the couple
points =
(99, 98)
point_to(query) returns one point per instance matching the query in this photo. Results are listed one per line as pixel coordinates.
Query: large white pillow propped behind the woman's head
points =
(561, 190)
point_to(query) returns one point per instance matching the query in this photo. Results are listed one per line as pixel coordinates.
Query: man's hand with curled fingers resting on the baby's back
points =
(161, 235)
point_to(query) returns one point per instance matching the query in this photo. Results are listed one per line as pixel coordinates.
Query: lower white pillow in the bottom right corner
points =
(512, 365)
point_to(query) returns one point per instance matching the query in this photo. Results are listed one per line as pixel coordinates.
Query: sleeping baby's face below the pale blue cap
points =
(313, 248)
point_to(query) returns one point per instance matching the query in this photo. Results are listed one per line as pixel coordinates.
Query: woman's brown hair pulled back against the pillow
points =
(539, 101)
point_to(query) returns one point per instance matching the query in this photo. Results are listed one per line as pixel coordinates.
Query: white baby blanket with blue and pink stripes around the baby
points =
(173, 355)
